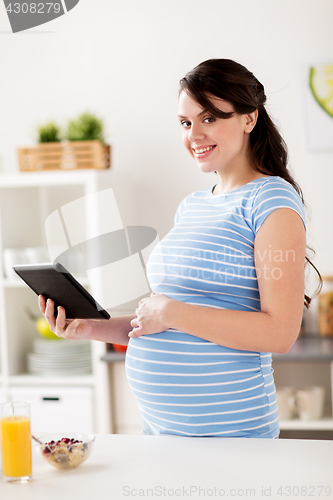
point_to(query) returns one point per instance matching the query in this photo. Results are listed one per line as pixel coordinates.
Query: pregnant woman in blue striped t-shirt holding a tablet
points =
(227, 280)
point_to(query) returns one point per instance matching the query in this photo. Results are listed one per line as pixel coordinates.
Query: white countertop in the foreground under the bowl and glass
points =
(123, 466)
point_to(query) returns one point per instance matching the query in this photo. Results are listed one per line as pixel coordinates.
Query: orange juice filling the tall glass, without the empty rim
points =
(16, 446)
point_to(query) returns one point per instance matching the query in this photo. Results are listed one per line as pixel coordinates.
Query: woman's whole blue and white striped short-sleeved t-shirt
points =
(186, 385)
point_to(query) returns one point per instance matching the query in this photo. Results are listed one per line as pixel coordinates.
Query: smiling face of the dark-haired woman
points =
(217, 144)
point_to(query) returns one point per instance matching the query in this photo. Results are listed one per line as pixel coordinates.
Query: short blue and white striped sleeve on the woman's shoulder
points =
(273, 194)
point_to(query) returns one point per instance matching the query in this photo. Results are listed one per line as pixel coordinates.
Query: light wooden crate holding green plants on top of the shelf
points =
(65, 156)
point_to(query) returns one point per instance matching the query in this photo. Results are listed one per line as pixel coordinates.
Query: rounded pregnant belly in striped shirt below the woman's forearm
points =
(182, 382)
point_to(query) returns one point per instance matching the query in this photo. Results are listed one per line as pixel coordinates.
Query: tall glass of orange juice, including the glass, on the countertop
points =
(15, 440)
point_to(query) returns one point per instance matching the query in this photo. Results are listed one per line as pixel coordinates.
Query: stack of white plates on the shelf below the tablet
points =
(60, 357)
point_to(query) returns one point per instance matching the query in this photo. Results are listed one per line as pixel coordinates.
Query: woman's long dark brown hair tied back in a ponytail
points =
(232, 82)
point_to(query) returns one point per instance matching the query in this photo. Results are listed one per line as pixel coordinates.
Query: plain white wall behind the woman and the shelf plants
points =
(122, 59)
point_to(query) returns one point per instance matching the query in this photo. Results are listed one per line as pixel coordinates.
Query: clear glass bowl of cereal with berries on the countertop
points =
(66, 450)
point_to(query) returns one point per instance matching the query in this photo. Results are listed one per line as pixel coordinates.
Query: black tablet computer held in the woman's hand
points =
(54, 282)
